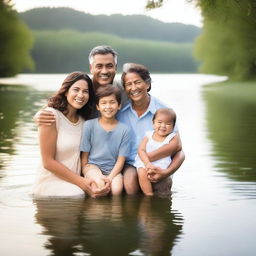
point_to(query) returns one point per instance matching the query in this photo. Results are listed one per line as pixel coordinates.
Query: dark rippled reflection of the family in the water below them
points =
(109, 226)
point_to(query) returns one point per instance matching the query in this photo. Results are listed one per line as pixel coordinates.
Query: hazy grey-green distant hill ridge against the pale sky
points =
(130, 26)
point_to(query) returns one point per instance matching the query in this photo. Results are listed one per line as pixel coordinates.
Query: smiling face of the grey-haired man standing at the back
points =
(103, 69)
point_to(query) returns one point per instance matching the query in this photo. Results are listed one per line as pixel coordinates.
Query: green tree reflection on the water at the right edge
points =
(231, 125)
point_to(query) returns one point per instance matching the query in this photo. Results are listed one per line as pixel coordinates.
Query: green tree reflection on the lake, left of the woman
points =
(17, 106)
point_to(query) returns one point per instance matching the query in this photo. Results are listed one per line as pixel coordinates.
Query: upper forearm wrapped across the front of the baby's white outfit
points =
(167, 150)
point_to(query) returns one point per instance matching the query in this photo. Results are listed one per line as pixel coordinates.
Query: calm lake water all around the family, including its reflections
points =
(213, 203)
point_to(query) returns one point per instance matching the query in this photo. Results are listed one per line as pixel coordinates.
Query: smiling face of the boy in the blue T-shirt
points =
(108, 106)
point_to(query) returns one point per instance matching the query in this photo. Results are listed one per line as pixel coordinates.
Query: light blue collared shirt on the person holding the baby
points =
(139, 125)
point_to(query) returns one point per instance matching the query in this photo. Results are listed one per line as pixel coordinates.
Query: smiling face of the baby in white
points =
(163, 124)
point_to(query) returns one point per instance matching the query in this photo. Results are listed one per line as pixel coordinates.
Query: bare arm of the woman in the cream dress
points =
(47, 140)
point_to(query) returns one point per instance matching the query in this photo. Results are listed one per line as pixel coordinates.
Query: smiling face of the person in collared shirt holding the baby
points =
(135, 87)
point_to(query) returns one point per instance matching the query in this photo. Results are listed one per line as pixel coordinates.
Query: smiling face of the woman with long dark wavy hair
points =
(78, 94)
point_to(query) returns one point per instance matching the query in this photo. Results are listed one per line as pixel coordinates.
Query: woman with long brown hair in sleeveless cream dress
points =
(59, 173)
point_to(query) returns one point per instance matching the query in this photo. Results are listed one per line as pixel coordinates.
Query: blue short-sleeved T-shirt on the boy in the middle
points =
(103, 146)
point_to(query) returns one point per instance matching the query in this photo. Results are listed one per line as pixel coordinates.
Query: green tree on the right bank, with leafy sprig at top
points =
(227, 43)
